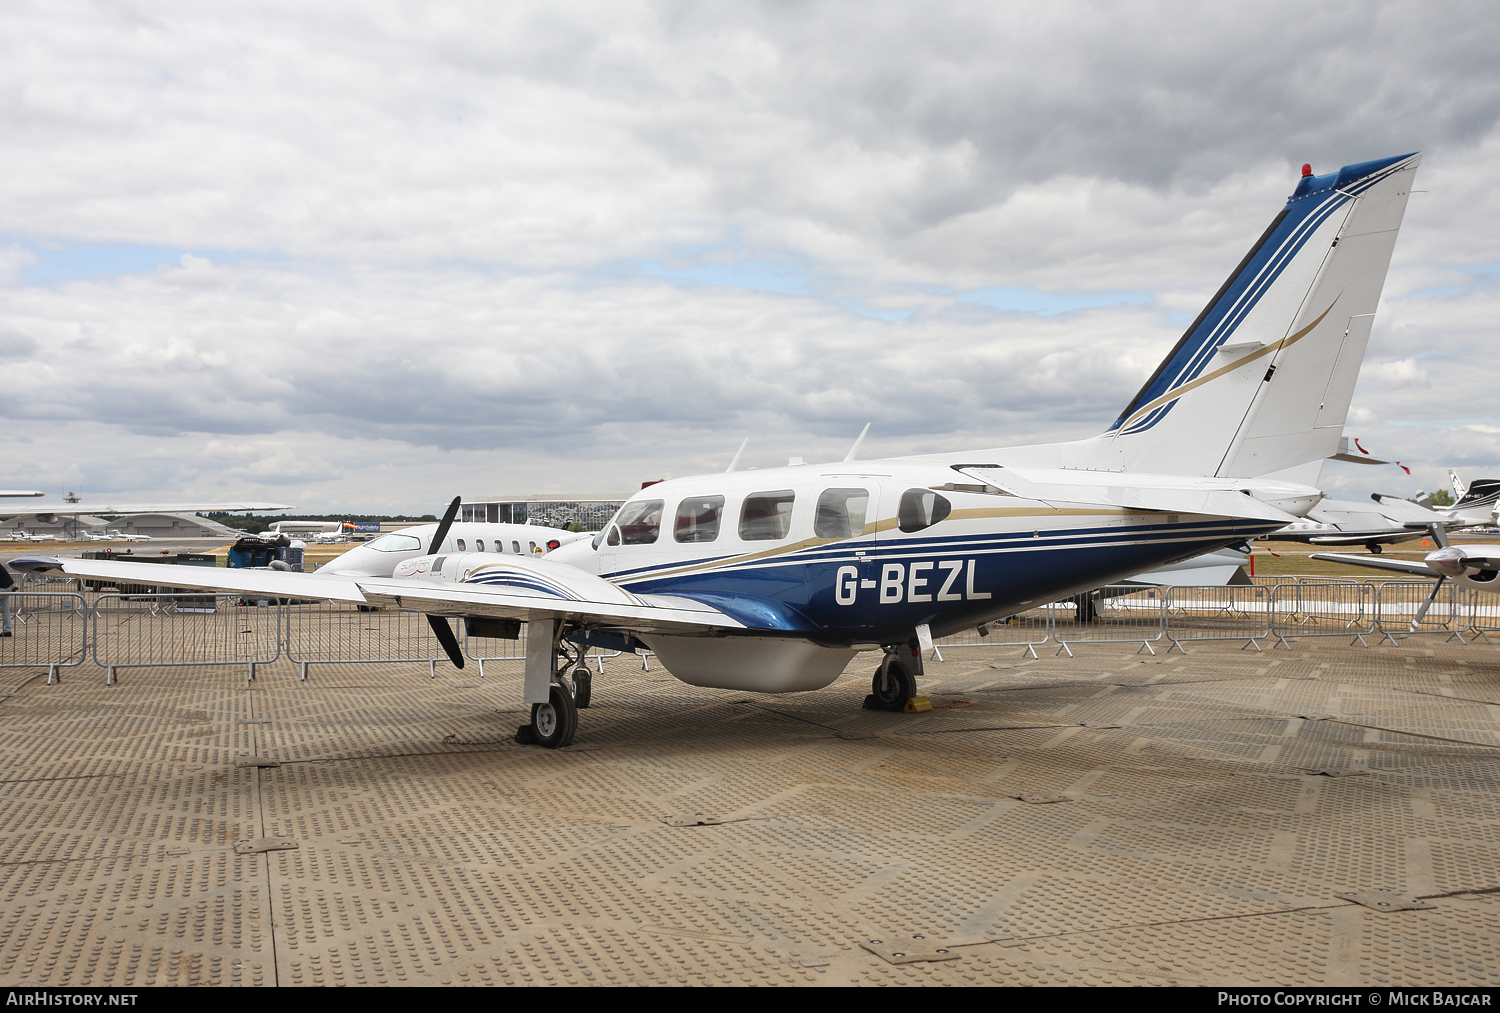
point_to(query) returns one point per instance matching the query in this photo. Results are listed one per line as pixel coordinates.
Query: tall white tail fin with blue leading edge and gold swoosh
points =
(1264, 377)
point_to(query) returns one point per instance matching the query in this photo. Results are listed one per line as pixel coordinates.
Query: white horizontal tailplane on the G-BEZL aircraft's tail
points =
(1130, 491)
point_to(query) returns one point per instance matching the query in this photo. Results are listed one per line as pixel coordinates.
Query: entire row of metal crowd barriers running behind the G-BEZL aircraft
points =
(188, 628)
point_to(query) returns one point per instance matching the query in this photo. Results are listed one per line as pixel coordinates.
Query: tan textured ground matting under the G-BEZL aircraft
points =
(407, 840)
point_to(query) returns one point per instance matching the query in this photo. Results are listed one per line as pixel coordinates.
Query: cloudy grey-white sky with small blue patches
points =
(367, 257)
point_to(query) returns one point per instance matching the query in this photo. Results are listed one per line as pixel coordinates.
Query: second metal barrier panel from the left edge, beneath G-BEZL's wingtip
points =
(178, 630)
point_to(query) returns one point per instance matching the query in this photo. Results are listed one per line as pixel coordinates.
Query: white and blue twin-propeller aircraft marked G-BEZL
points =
(775, 580)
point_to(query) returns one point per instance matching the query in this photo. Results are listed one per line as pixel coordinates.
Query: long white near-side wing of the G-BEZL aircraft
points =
(607, 606)
